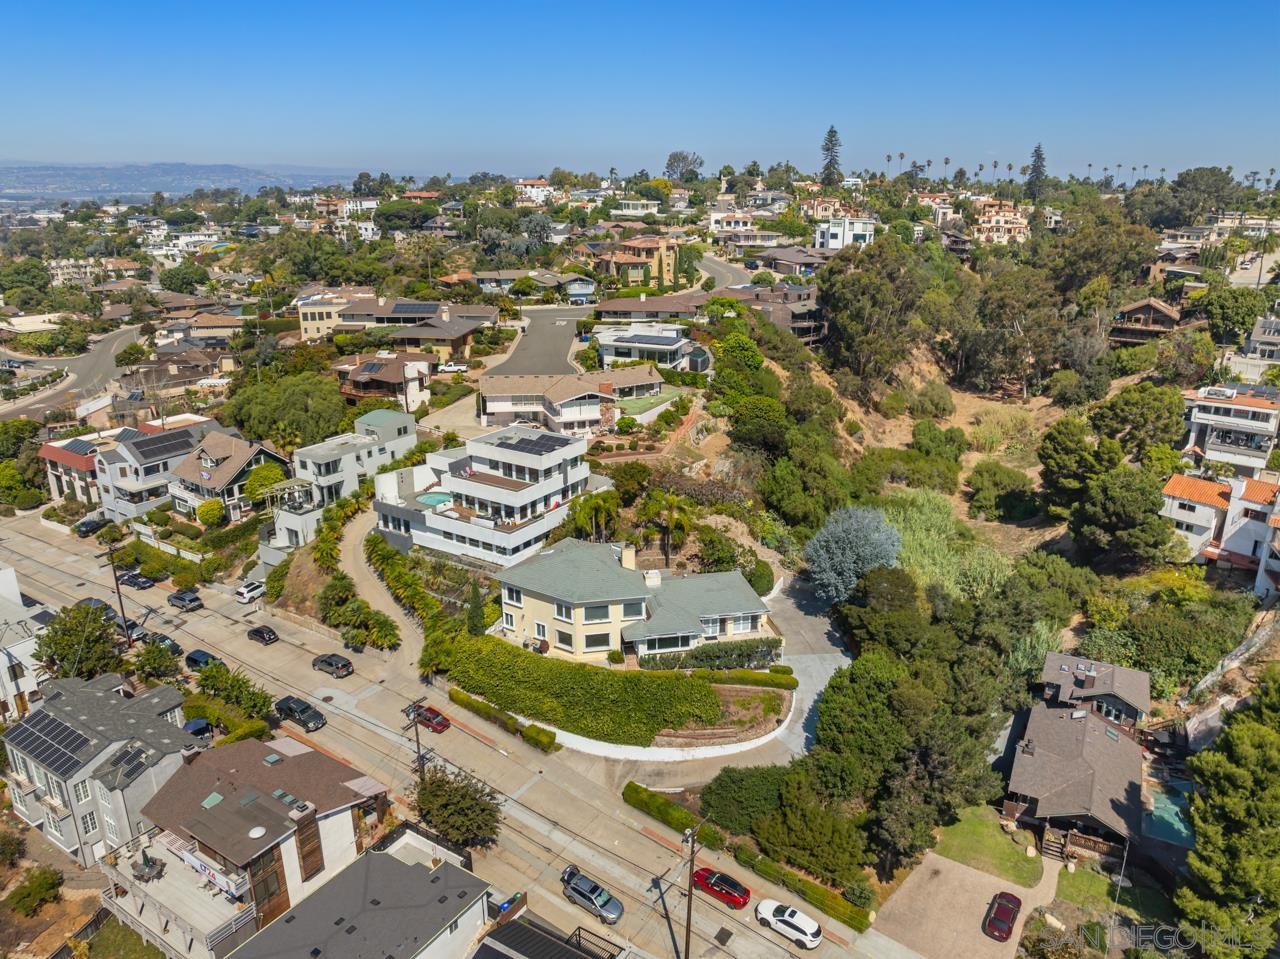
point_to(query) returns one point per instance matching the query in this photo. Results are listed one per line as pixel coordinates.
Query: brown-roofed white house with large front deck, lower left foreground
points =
(240, 835)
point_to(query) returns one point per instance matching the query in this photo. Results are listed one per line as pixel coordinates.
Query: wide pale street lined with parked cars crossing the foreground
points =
(552, 814)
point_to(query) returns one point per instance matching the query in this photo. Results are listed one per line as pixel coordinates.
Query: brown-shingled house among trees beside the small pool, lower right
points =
(1077, 771)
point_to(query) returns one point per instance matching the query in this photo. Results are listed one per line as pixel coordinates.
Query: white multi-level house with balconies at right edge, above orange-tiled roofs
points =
(1233, 424)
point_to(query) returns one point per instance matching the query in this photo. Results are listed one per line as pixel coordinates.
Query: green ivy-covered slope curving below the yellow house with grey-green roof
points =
(628, 707)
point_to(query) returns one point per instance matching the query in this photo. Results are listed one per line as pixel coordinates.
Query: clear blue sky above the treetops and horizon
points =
(426, 88)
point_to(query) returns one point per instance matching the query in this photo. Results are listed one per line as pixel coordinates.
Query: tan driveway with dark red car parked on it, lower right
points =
(940, 908)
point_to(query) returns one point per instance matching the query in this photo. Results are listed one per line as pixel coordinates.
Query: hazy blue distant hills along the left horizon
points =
(108, 181)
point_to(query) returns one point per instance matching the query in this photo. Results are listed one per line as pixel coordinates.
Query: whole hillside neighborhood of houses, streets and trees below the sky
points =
(872, 556)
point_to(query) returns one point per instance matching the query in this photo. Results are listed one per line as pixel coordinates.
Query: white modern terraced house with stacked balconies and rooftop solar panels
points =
(496, 499)
